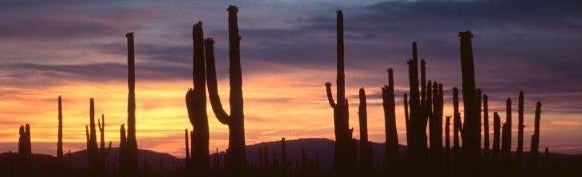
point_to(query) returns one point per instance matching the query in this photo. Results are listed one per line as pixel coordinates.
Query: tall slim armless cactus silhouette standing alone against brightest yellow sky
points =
(131, 137)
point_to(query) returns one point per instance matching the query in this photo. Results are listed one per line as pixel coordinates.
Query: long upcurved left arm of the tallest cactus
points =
(221, 115)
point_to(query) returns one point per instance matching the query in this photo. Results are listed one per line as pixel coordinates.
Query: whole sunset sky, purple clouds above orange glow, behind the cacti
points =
(77, 50)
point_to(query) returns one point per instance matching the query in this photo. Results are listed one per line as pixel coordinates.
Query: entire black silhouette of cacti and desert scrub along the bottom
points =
(424, 103)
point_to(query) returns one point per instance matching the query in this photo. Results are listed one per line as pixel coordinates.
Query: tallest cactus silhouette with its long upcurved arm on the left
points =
(236, 160)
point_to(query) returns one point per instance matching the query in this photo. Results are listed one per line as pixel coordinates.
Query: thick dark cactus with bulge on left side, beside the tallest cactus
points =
(196, 101)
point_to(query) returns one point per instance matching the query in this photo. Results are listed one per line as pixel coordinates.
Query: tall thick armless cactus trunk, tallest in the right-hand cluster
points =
(472, 122)
